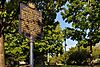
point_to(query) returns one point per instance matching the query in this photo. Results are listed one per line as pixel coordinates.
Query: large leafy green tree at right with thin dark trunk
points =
(84, 17)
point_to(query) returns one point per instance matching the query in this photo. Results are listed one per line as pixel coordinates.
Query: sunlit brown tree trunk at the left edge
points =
(2, 60)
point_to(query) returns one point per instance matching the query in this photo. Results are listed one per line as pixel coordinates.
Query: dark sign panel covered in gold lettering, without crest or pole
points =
(31, 20)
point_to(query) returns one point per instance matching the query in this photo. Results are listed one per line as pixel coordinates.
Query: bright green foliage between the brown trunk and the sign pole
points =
(16, 46)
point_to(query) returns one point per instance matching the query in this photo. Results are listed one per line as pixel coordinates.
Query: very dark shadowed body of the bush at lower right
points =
(78, 57)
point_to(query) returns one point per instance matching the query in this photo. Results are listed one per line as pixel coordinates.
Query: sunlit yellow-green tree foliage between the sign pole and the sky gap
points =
(51, 42)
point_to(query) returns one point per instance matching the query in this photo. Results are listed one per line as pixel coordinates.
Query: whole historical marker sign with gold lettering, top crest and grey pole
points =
(30, 25)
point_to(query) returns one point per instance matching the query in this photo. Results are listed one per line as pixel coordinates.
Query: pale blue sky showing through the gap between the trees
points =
(70, 43)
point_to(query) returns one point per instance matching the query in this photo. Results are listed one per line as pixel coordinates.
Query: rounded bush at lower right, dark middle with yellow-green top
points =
(77, 55)
